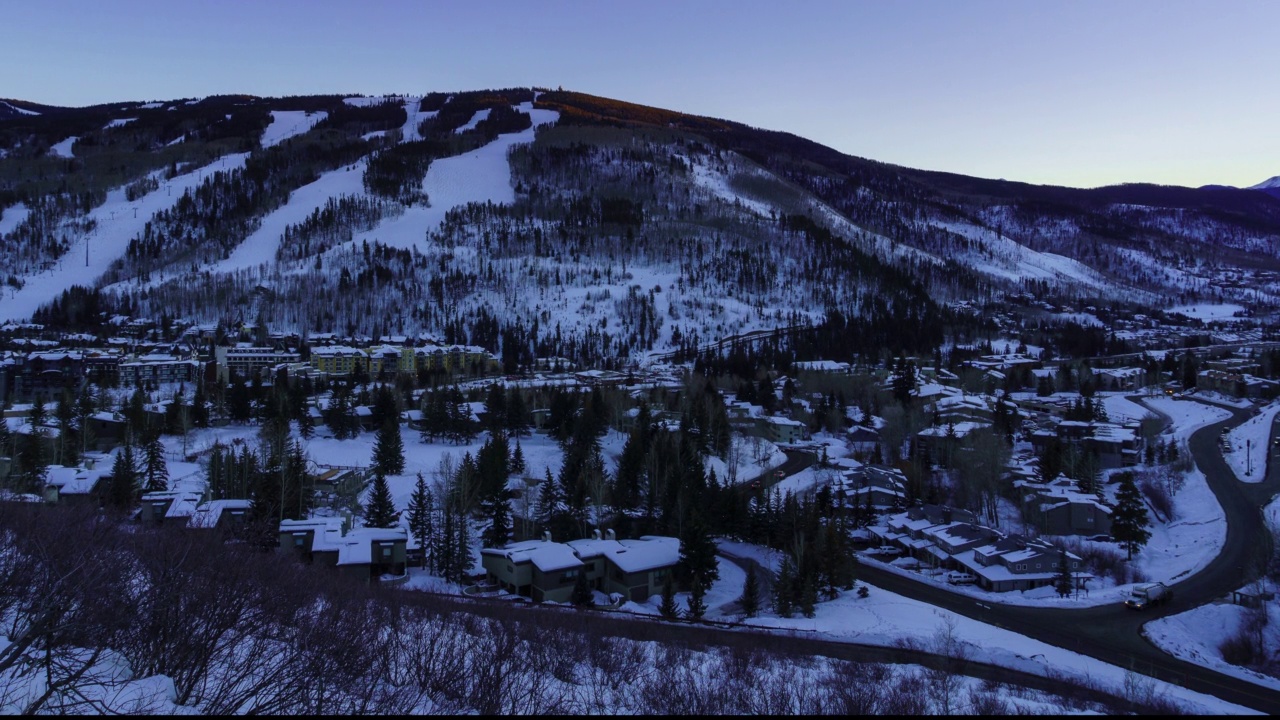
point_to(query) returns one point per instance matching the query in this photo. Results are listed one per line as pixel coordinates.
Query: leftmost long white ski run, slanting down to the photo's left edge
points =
(118, 222)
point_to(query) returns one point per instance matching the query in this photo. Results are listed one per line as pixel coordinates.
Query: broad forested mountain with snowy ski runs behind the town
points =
(560, 224)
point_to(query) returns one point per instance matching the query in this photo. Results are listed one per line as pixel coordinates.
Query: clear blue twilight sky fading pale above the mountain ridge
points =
(1080, 94)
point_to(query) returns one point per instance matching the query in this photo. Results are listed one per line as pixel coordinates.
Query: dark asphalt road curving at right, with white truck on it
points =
(1113, 634)
